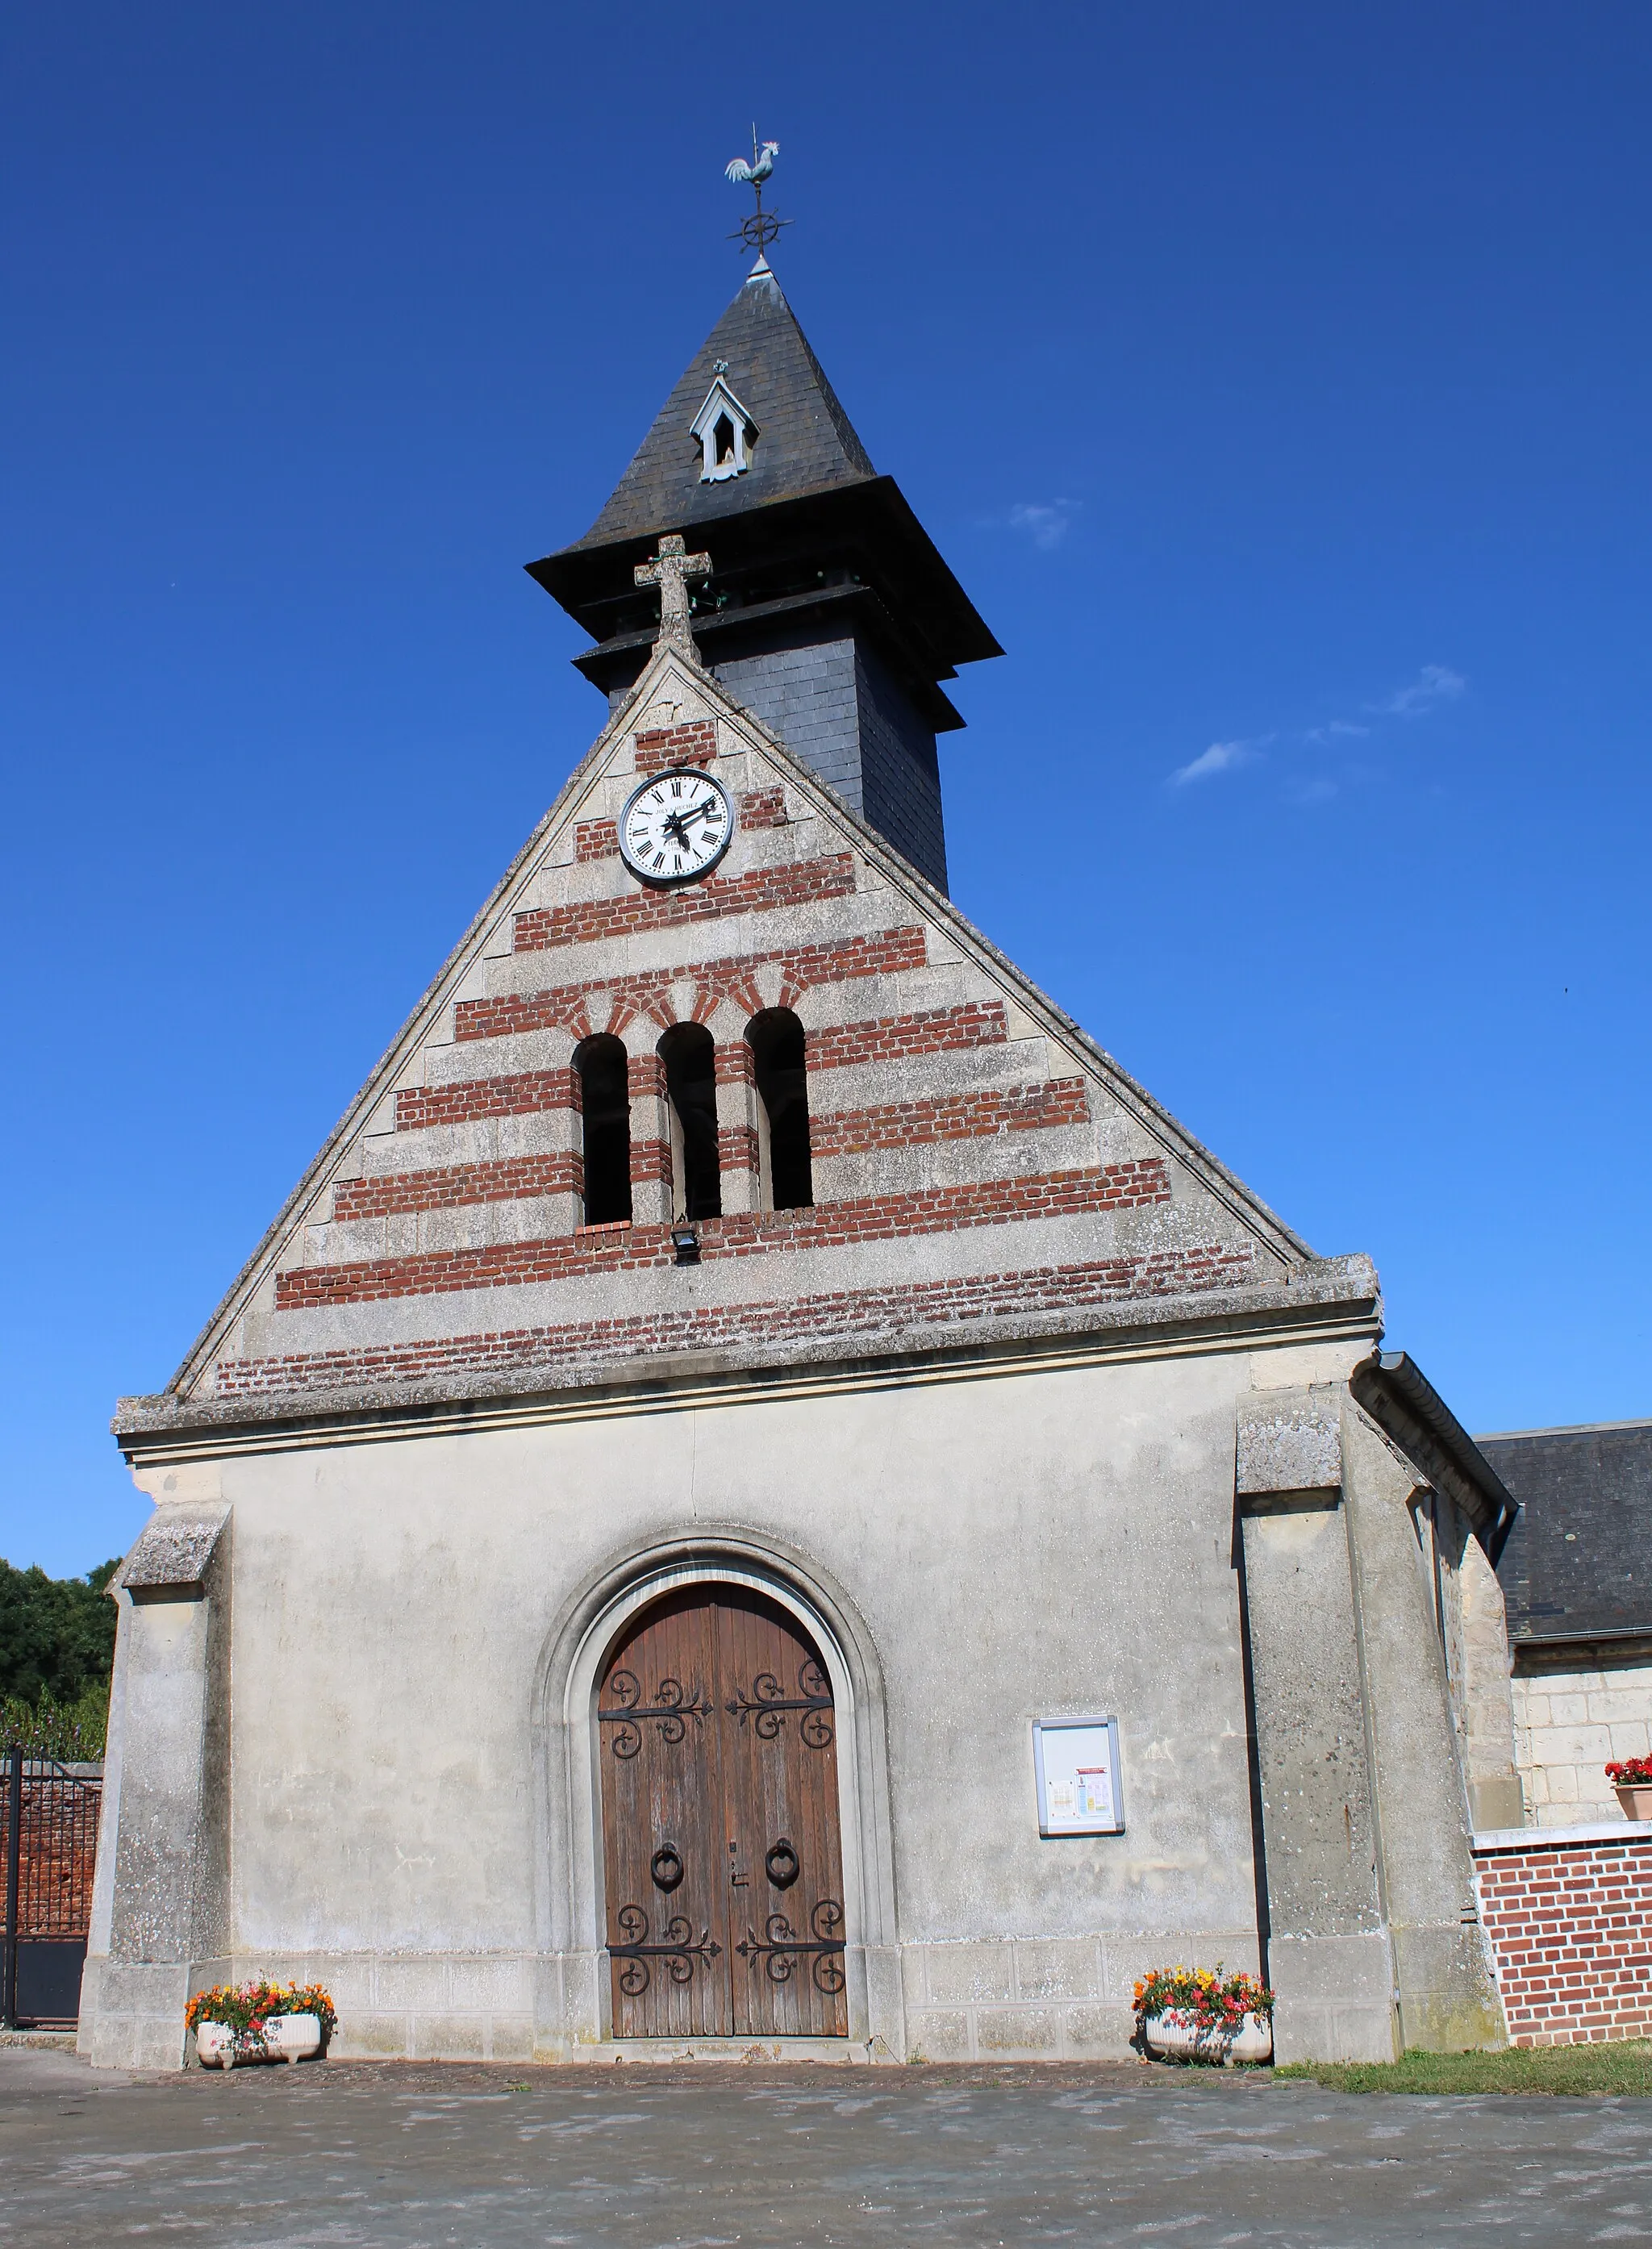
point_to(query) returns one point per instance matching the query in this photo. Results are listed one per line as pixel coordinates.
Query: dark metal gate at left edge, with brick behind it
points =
(51, 1854)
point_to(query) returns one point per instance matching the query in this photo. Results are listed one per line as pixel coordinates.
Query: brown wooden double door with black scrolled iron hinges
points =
(720, 1825)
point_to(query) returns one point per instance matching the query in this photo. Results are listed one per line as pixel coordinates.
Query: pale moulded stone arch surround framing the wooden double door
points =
(570, 1881)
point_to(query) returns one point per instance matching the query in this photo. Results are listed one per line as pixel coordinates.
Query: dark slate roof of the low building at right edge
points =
(1579, 1560)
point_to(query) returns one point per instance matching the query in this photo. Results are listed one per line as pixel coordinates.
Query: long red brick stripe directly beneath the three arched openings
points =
(516, 1265)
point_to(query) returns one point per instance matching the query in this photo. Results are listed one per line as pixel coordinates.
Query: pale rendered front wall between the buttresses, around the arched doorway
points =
(1013, 1548)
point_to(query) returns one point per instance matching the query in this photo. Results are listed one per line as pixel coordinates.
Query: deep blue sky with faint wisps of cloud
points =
(1273, 379)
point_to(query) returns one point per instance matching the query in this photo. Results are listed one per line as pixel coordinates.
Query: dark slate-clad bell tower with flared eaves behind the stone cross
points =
(828, 611)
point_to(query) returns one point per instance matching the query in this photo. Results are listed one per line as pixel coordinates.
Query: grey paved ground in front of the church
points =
(403, 2156)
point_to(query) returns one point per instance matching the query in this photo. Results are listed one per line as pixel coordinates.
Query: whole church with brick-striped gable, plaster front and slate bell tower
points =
(761, 1492)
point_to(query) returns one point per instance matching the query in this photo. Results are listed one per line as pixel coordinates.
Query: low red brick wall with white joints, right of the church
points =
(1570, 1938)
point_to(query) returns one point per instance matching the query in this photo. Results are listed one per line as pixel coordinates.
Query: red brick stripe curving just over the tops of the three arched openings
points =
(732, 977)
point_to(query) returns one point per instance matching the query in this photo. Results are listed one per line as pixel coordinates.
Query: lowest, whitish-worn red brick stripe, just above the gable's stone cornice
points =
(855, 1312)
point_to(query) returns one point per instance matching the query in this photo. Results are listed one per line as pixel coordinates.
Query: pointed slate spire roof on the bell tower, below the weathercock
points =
(806, 442)
